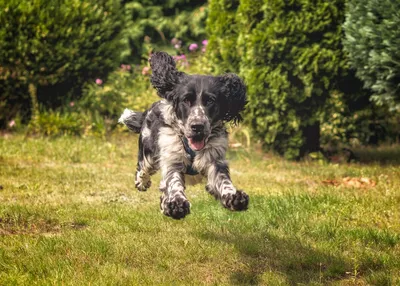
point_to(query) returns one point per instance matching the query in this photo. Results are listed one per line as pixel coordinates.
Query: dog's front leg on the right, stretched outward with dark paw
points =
(221, 187)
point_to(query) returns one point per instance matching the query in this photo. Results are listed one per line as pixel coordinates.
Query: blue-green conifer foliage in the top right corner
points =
(372, 41)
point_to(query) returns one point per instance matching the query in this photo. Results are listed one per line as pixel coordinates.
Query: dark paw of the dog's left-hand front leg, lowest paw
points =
(176, 207)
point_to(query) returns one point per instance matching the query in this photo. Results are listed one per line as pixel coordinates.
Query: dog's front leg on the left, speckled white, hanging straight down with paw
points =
(173, 199)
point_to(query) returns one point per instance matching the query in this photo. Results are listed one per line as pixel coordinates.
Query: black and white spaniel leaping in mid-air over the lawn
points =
(184, 133)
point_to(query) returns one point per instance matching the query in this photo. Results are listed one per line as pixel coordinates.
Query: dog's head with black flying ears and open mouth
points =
(199, 101)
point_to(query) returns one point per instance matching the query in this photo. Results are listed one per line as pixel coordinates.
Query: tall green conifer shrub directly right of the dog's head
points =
(291, 58)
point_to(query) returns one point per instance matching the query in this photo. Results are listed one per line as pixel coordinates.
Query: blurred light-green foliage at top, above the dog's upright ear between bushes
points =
(159, 21)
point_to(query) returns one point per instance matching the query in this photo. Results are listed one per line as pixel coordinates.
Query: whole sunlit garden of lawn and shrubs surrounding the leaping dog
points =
(318, 151)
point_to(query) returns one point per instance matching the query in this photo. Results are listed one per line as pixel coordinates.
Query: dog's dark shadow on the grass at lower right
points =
(279, 260)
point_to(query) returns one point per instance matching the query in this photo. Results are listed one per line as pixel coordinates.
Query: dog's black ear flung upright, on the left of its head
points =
(164, 76)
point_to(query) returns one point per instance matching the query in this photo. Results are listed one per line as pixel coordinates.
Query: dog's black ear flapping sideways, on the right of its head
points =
(234, 89)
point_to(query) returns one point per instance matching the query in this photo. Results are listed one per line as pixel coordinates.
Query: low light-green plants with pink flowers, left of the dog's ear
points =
(97, 112)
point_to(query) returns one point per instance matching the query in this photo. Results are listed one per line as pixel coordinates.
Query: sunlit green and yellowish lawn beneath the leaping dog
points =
(69, 215)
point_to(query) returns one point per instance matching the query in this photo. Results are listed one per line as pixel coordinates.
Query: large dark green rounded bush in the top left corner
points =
(50, 43)
